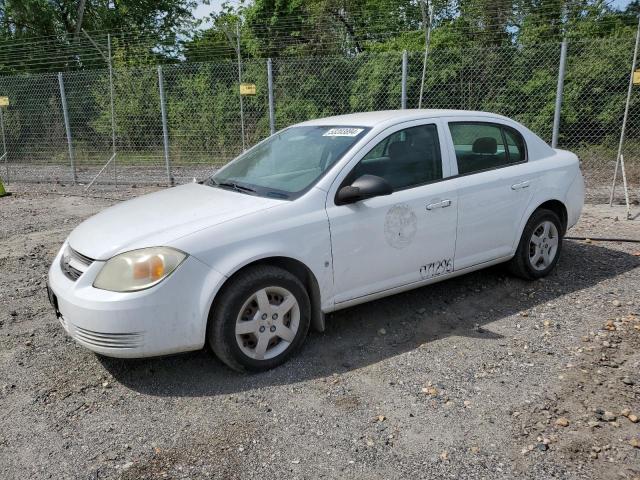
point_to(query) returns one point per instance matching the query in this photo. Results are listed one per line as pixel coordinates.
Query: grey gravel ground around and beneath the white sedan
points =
(482, 376)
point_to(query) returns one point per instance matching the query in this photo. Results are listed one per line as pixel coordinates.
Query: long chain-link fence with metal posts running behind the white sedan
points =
(207, 125)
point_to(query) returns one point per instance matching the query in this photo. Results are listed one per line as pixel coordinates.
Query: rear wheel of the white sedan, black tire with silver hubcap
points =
(540, 246)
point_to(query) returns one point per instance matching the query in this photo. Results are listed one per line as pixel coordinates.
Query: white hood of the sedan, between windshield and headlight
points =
(160, 217)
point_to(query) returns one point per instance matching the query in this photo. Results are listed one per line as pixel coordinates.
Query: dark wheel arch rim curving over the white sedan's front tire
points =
(295, 267)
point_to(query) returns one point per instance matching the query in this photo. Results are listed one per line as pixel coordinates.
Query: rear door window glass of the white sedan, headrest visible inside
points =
(481, 146)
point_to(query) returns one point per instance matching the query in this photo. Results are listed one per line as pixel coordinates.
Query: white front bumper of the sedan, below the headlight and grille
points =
(170, 317)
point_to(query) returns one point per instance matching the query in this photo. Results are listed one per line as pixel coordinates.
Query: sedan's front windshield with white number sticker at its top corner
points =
(289, 162)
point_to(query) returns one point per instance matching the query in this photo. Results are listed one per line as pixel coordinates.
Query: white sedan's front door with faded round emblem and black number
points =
(406, 237)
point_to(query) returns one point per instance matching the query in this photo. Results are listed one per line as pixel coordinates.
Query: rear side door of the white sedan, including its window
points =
(494, 188)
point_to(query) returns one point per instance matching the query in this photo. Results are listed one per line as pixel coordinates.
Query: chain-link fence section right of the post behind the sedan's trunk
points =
(595, 92)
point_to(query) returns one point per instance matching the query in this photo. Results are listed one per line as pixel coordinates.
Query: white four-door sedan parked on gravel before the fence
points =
(321, 216)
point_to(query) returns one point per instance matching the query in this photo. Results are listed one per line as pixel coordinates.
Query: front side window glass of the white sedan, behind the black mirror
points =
(406, 158)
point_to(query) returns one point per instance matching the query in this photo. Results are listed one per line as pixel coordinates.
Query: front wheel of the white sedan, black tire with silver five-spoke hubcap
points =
(260, 318)
